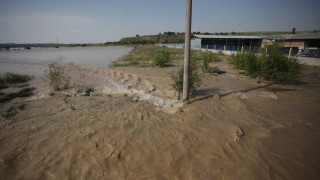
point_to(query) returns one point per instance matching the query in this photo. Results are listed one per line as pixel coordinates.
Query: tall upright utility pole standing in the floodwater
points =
(185, 96)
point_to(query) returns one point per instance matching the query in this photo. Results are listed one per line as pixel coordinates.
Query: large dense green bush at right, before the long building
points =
(271, 65)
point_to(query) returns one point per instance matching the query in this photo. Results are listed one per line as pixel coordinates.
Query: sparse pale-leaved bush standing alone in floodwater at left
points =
(57, 77)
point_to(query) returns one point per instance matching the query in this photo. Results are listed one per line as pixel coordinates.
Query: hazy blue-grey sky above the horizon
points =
(98, 21)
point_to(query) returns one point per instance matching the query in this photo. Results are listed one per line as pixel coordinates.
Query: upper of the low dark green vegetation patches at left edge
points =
(12, 78)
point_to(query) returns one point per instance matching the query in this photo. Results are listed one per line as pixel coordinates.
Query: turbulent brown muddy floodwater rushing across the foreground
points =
(132, 127)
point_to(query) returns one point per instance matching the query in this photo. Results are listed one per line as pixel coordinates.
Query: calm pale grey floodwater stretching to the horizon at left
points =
(34, 61)
